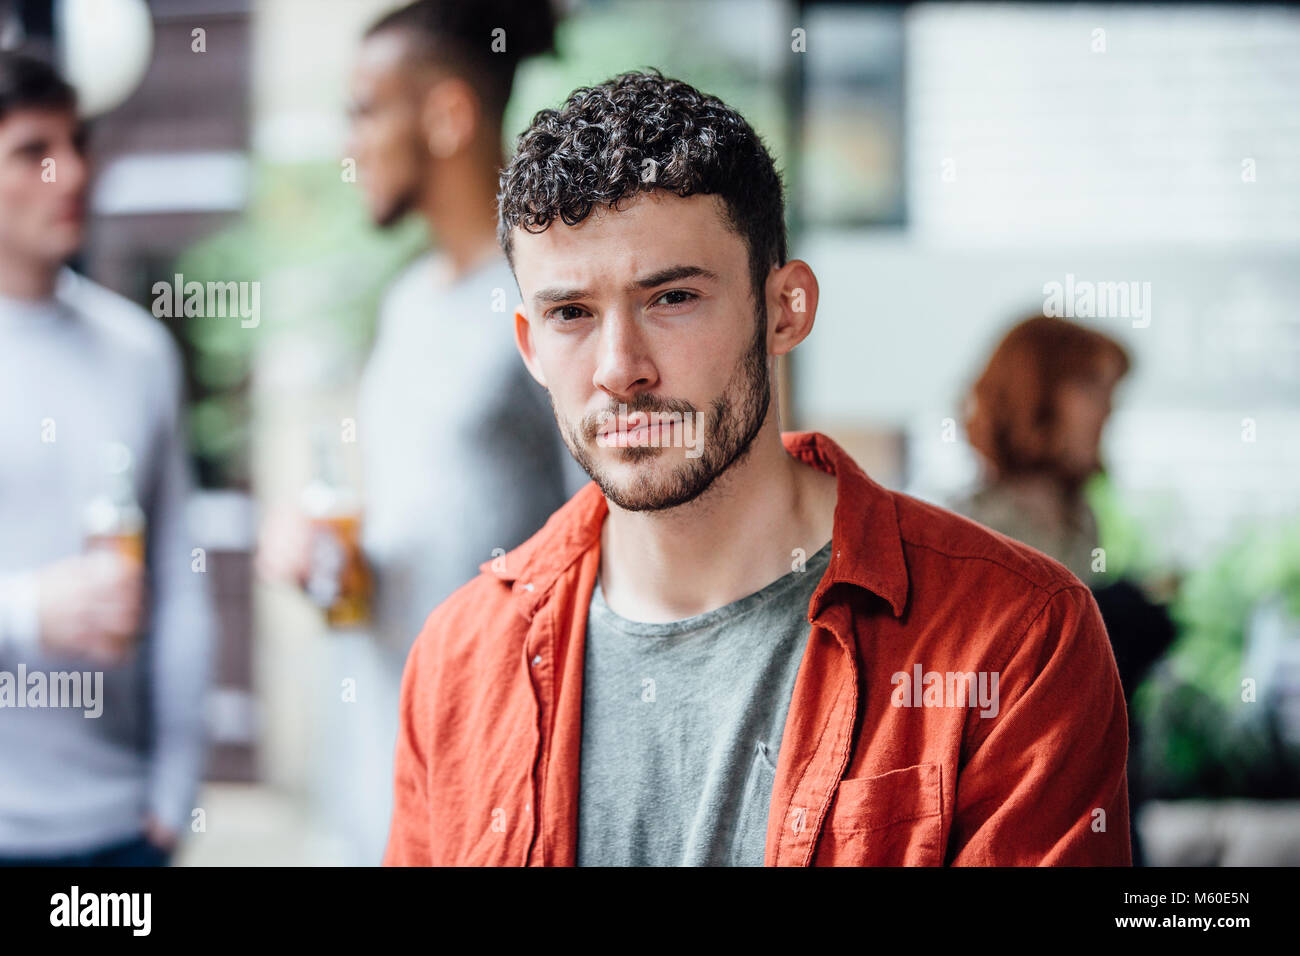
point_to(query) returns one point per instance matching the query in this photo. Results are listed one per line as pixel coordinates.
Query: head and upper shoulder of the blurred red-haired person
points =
(1035, 416)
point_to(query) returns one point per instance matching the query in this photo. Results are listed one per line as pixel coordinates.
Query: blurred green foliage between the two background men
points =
(306, 239)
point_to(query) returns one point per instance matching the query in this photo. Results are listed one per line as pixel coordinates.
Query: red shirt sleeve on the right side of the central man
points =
(1046, 784)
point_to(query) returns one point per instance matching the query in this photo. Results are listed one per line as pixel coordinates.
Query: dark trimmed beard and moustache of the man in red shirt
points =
(735, 421)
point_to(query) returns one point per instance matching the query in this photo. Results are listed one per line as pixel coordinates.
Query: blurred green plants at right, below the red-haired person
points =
(1199, 738)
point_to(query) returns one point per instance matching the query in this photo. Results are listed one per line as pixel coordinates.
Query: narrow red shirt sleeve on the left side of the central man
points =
(410, 828)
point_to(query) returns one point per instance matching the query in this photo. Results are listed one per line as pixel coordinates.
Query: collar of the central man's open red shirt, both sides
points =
(866, 542)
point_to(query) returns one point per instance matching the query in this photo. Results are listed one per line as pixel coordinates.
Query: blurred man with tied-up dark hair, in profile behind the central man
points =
(461, 458)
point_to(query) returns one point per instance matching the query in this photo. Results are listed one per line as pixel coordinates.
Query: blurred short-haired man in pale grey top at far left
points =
(83, 369)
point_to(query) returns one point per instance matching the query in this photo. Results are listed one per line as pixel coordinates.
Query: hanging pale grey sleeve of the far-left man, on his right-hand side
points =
(183, 639)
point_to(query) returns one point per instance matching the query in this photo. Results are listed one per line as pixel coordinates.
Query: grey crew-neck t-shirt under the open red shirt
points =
(682, 724)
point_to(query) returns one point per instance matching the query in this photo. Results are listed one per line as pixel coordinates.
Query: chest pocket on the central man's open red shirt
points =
(890, 820)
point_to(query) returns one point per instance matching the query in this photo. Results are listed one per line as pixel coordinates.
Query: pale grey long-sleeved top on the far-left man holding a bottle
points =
(80, 370)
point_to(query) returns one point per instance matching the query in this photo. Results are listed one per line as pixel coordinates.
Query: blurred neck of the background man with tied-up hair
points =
(465, 218)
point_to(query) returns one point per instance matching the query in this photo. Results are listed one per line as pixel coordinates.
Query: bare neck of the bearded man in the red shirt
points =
(736, 539)
